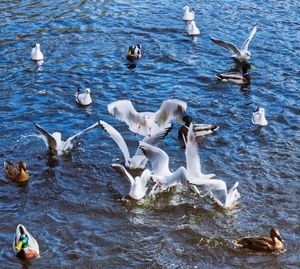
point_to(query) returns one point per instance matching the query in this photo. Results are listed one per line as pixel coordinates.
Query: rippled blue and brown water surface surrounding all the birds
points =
(73, 205)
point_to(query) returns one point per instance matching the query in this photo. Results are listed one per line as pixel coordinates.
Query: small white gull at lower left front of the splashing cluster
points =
(138, 185)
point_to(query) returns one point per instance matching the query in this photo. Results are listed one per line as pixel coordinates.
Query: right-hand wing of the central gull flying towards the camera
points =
(169, 110)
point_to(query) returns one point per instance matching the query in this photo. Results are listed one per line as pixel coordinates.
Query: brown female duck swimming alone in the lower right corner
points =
(262, 244)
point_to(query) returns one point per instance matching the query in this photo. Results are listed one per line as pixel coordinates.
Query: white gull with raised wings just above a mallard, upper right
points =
(242, 54)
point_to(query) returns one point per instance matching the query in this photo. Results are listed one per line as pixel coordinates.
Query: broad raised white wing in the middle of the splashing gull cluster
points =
(158, 158)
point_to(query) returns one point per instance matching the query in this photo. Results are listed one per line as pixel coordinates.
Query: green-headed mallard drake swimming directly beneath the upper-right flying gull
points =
(237, 77)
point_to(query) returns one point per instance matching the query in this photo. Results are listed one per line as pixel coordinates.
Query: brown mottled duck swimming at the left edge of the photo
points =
(17, 172)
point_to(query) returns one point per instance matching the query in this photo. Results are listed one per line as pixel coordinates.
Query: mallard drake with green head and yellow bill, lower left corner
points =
(25, 247)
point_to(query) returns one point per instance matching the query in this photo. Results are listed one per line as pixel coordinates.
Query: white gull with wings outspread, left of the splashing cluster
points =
(54, 142)
